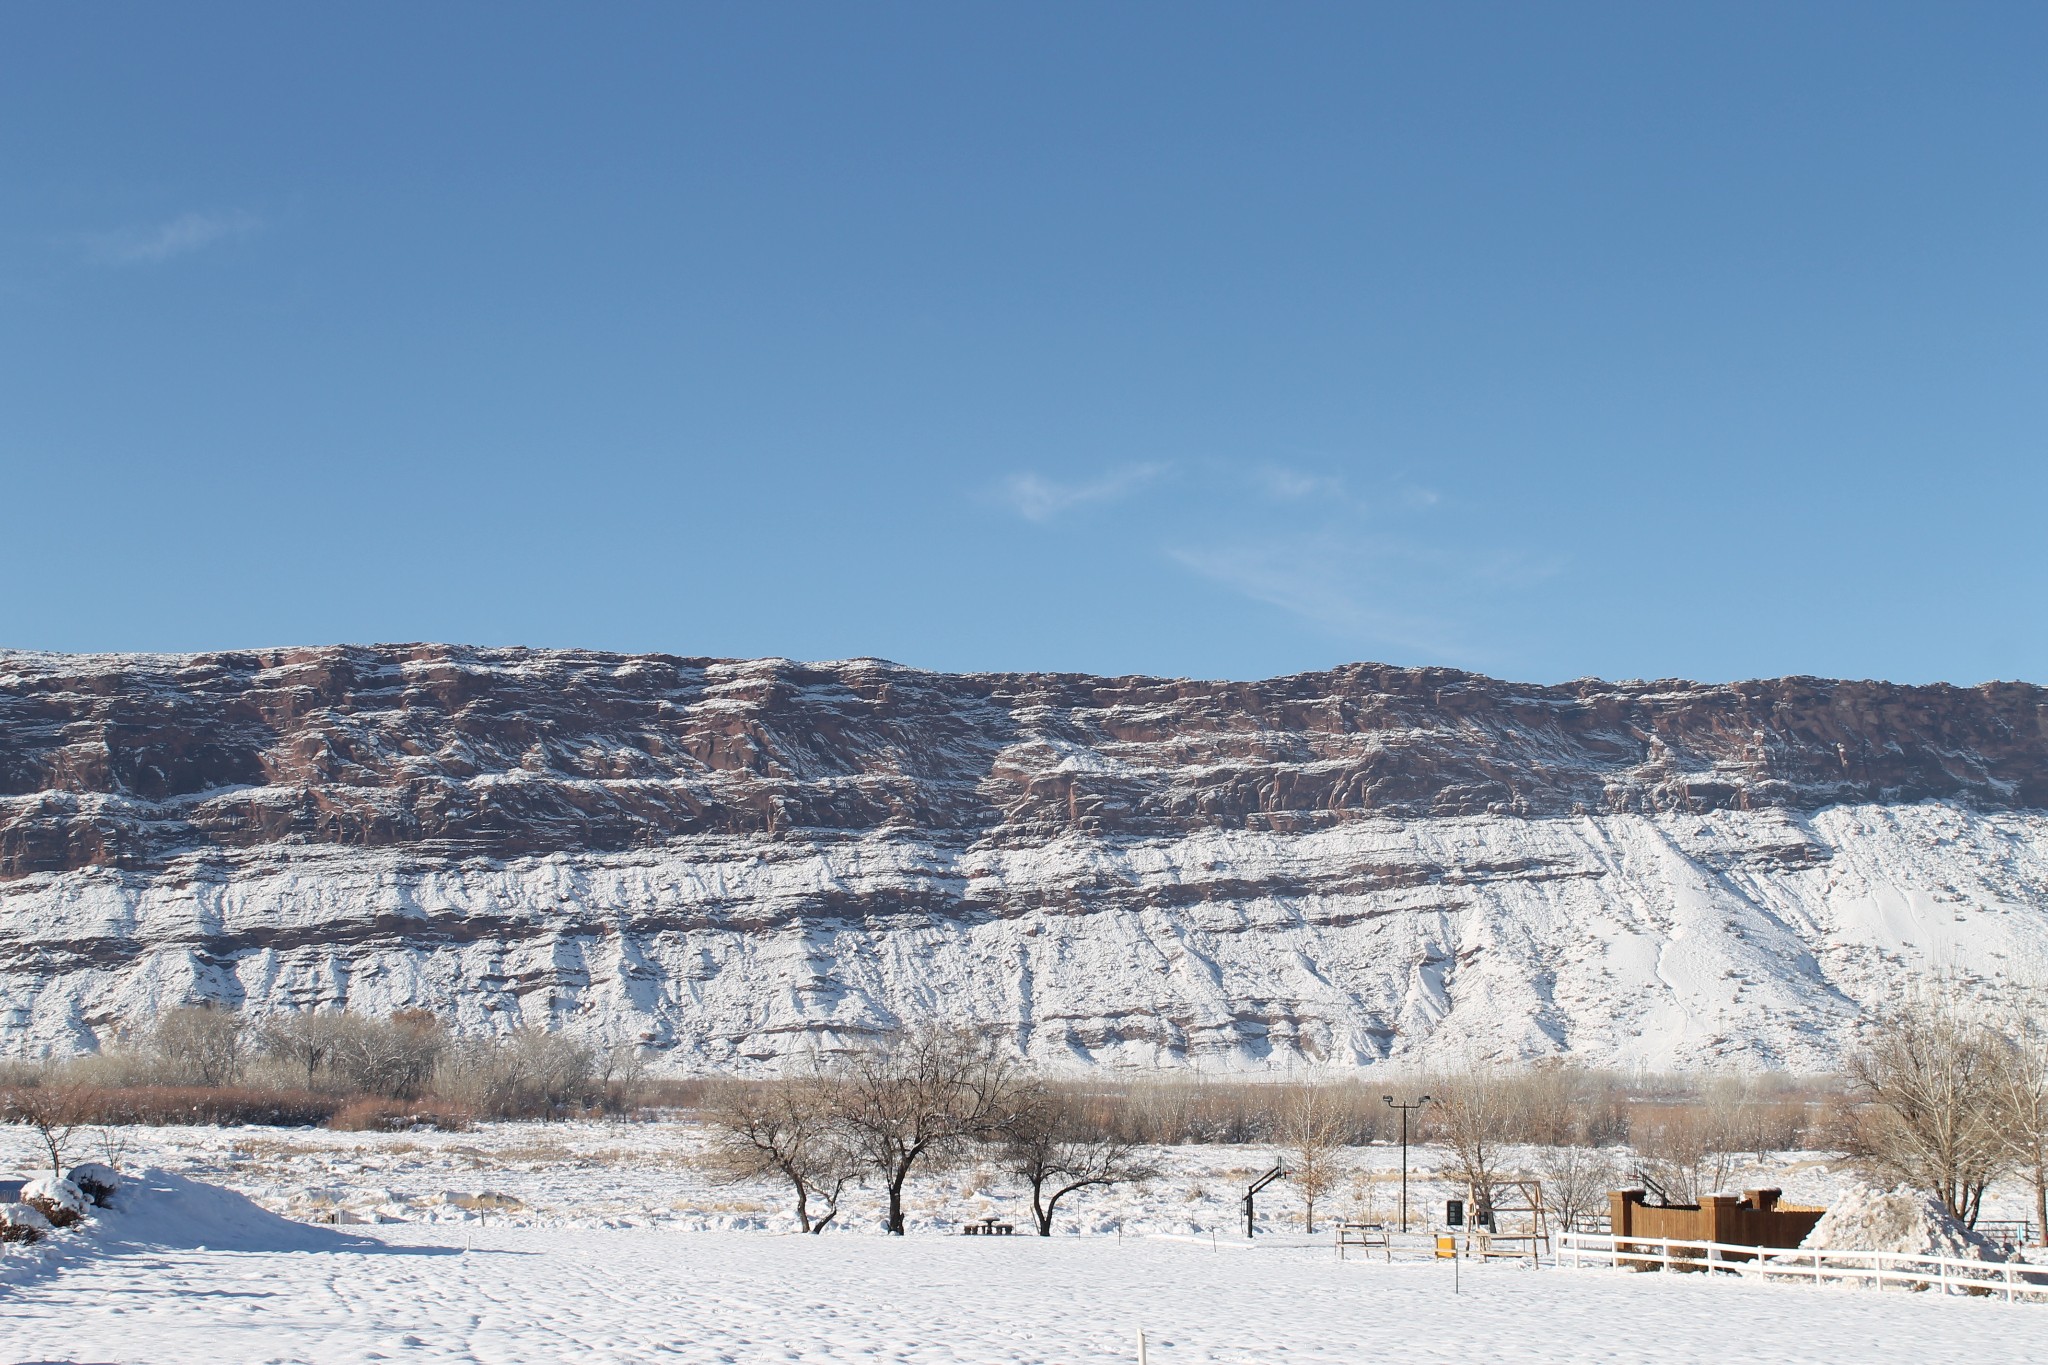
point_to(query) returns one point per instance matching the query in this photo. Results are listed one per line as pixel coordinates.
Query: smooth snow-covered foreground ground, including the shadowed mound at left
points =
(187, 1272)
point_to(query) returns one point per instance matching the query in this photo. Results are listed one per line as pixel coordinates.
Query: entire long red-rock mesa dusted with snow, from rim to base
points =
(749, 863)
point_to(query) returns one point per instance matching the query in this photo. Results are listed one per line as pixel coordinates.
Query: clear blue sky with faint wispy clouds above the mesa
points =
(1222, 341)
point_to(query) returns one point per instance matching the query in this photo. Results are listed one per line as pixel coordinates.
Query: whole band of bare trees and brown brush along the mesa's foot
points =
(1943, 1096)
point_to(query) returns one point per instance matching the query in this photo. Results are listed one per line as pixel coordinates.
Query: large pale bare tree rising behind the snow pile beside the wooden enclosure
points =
(1934, 1071)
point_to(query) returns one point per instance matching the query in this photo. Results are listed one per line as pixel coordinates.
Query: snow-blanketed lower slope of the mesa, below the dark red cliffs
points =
(1672, 940)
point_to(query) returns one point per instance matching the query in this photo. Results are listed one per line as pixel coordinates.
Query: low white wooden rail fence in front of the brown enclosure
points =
(2016, 1282)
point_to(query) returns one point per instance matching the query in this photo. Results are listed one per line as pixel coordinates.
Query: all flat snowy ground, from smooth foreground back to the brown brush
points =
(607, 1243)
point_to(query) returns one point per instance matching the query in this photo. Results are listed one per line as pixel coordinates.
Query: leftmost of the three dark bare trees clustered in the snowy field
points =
(783, 1129)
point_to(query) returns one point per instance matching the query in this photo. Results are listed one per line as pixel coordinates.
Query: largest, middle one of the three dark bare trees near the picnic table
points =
(923, 1094)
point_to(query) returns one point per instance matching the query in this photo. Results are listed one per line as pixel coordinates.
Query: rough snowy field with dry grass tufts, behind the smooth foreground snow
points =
(652, 1176)
